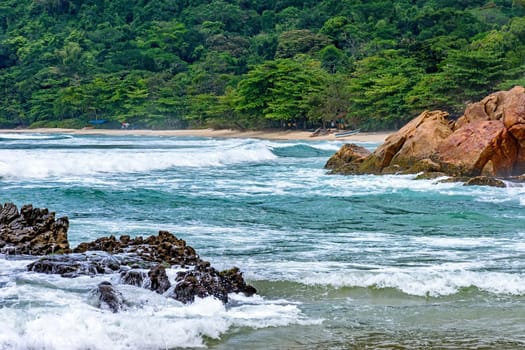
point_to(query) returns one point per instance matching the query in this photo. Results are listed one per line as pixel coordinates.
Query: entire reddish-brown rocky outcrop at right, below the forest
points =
(489, 140)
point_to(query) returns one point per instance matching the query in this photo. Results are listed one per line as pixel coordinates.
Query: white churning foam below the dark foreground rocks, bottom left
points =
(50, 312)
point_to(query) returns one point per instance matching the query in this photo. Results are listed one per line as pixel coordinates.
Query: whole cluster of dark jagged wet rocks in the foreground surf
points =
(139, 261)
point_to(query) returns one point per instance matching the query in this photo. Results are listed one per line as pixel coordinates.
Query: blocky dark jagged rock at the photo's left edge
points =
(32, 231)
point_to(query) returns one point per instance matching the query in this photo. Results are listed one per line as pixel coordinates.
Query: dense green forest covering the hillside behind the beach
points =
(252, 63)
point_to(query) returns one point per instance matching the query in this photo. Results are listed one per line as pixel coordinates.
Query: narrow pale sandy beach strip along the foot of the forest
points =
(222, 133)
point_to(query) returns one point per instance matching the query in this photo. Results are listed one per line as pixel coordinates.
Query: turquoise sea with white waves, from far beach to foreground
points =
(340, 262)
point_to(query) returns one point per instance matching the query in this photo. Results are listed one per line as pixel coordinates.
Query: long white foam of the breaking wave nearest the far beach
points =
(39, 164)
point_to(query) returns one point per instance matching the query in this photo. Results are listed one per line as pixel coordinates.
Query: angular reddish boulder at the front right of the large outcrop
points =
(477, 146)
